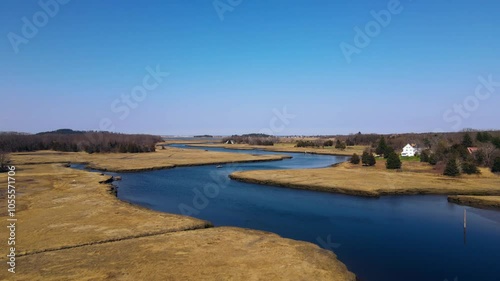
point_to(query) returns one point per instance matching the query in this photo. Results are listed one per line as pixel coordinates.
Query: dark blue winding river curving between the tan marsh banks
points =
(379, 239)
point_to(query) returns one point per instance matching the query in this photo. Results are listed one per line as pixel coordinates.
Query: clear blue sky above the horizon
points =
(227, 76)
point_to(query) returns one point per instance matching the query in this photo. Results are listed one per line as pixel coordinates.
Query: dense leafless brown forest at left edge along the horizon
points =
(74, 141)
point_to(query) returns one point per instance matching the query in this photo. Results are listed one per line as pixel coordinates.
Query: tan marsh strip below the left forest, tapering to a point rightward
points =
(169, 157)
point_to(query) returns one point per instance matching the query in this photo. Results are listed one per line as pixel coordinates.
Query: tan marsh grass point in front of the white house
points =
(346, 178)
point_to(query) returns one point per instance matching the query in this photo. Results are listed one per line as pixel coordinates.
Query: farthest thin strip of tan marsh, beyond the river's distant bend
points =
(279, 147)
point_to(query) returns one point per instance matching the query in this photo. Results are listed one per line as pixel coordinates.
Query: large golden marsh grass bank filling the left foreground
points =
(70, 227)
